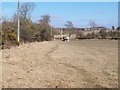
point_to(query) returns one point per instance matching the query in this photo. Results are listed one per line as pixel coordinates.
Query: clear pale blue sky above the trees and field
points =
(80, 13)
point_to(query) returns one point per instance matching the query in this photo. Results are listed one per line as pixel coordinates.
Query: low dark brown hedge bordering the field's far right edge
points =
(102, 34)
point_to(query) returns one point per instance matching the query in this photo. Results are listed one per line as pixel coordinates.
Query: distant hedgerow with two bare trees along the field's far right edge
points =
(95, 32)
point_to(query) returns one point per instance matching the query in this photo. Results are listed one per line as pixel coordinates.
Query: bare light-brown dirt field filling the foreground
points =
(81, 64)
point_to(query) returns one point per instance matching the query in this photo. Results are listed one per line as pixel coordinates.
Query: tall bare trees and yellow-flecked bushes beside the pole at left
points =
(29, 31)
